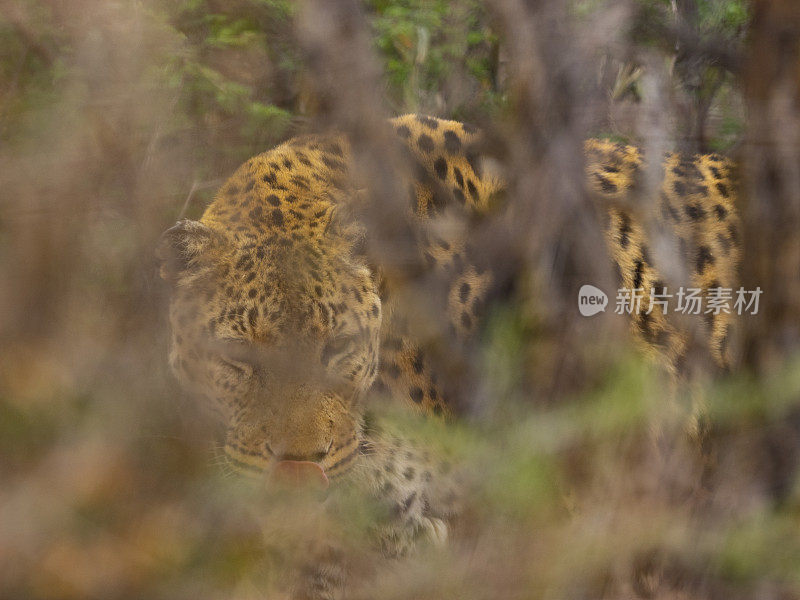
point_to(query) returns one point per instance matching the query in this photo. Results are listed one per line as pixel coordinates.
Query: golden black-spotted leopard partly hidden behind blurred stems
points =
(282, 322)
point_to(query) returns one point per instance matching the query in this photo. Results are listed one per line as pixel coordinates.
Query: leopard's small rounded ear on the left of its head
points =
(181, 245)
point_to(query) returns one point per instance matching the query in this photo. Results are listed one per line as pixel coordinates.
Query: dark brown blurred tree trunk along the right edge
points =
(771, 214)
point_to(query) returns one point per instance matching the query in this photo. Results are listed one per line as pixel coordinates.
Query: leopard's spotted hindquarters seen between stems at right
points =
(695, 207)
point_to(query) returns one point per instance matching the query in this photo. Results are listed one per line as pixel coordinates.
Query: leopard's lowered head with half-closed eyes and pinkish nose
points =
(281, 339)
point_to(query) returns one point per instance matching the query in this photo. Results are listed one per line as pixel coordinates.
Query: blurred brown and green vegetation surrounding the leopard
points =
(590, 476)
